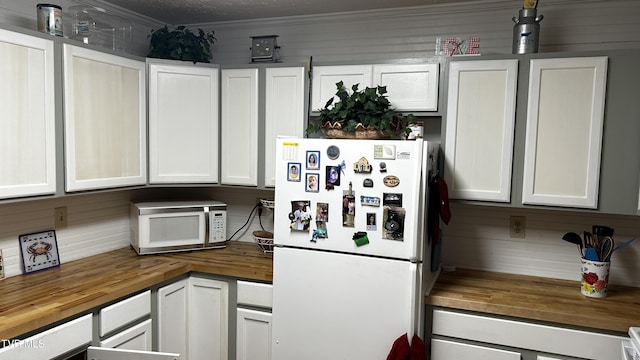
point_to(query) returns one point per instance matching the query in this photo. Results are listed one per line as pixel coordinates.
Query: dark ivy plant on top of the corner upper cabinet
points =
(181, 44)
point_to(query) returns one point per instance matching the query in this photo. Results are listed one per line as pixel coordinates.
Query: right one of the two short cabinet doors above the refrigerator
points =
(409, 87)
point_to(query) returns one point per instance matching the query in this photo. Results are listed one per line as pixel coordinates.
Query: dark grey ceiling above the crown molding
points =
(185, 12)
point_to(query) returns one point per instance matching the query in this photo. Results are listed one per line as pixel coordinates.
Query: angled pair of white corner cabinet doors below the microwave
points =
(193, 318)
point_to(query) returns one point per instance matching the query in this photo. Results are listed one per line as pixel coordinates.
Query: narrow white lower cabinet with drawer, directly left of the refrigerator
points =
(253, 326)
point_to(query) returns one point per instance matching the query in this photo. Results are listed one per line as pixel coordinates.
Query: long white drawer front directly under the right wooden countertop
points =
(544, 338)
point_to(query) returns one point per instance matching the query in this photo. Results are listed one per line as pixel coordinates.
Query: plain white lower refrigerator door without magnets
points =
(340, 306)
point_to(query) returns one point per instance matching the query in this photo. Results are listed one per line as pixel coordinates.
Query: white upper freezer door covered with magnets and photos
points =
(328, 190)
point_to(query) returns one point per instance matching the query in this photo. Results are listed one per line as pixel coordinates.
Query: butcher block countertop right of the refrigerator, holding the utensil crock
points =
(536, 298)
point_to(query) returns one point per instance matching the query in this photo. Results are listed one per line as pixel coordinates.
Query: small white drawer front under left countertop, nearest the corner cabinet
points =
(125, 312)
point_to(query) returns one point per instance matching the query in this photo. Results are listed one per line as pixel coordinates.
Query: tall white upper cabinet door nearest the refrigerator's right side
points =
(480, 129)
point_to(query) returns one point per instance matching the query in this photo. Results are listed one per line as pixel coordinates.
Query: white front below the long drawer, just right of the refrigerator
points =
(446, 350)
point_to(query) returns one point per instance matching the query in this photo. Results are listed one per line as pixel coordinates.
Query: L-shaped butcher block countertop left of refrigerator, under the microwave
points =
(29, 302)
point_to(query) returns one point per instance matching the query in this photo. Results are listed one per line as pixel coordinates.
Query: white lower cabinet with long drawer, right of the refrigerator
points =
(457, 335)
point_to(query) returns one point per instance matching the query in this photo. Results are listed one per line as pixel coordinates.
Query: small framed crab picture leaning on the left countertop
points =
(39, 251)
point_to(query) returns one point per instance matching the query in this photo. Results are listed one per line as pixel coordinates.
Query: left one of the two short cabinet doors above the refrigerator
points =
(326, 77)
